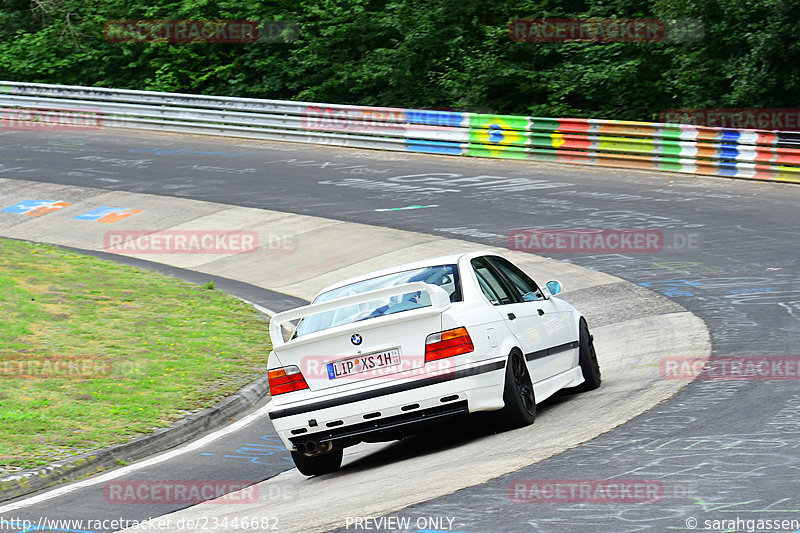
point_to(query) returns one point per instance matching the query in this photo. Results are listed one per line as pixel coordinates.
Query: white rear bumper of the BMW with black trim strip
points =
(388, 412)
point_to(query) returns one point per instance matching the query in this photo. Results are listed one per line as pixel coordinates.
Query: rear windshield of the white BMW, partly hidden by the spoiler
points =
(445, 276)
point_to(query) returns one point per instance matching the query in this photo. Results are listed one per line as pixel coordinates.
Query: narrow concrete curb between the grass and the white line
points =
(90, 463)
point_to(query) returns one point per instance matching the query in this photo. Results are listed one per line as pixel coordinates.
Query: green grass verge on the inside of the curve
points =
(93, 353)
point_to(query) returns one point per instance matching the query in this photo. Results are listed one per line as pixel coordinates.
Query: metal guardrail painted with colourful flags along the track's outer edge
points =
(752, 154)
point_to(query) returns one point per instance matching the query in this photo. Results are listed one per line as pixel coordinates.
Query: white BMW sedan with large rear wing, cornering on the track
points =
(377, 357)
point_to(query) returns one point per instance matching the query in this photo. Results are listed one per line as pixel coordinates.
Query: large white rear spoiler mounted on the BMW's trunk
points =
(440, 301)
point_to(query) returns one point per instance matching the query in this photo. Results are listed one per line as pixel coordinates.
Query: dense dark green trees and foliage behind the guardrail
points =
(433, 54)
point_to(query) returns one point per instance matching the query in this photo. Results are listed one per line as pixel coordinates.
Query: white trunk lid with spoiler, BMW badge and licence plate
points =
(363, 339)
